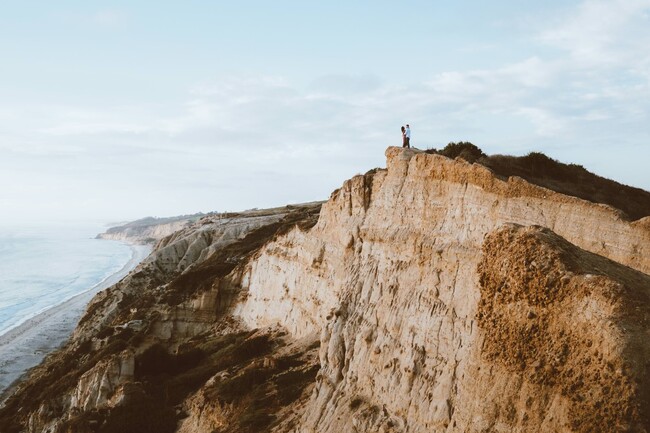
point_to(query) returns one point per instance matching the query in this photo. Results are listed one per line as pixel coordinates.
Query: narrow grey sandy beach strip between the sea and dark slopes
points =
(26, 345)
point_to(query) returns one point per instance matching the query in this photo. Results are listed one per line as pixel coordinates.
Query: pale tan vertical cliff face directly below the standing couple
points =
(388, 276)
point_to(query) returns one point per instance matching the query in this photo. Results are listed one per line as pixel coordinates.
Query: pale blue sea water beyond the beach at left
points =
(45, 266)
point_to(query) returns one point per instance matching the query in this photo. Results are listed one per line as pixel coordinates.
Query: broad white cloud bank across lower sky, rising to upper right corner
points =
(241, 142)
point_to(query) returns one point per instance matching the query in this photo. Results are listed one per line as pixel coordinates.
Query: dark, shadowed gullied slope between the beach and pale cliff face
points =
(167, 318)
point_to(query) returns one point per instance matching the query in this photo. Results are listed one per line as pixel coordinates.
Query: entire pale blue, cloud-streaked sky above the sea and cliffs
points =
(113, 111)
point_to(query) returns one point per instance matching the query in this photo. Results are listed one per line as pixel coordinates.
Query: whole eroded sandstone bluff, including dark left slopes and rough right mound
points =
(433, 295)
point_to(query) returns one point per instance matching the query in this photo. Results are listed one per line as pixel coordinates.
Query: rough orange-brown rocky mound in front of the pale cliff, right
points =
(570, 327)
